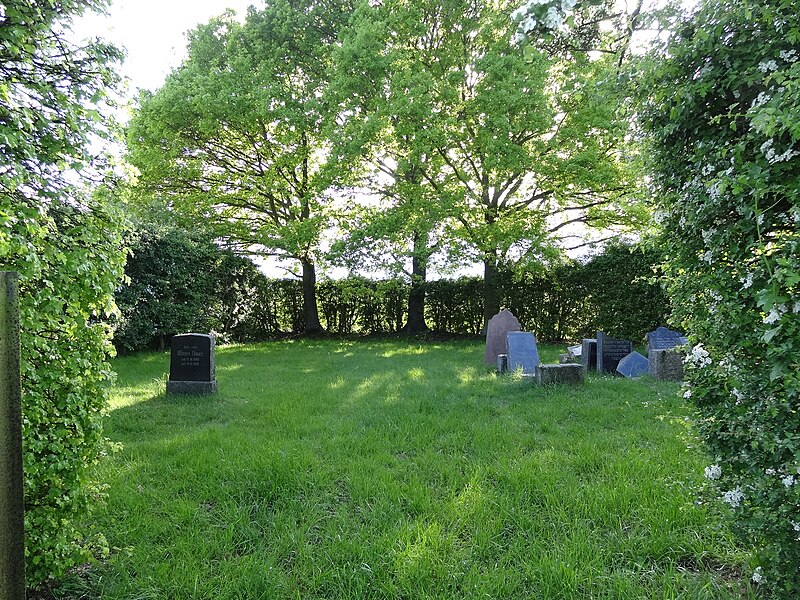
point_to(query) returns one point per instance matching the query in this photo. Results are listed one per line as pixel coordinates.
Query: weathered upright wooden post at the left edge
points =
(12, 523)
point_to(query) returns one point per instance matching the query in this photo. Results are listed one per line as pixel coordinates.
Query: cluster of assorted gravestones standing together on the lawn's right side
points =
(511, 349)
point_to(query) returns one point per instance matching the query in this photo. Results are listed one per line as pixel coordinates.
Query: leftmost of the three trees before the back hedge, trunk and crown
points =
(235, 136)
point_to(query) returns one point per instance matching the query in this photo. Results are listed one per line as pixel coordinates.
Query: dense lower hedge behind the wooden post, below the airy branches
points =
(70, 261)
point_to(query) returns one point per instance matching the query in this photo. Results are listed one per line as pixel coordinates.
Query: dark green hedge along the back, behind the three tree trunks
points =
(168, 294)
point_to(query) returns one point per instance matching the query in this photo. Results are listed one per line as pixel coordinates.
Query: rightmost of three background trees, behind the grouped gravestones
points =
(516, 146)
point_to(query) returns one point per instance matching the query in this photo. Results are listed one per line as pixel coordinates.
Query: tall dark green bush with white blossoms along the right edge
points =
(722, 116)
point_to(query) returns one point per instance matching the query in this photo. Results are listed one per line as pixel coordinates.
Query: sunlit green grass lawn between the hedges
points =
(392, 469)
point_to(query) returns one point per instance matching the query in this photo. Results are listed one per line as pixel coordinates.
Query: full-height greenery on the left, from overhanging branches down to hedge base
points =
(66, 244)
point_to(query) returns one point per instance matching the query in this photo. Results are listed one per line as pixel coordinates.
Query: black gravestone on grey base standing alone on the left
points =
(192, 366)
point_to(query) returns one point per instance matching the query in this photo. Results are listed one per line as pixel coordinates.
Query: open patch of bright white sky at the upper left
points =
(152, 32)
